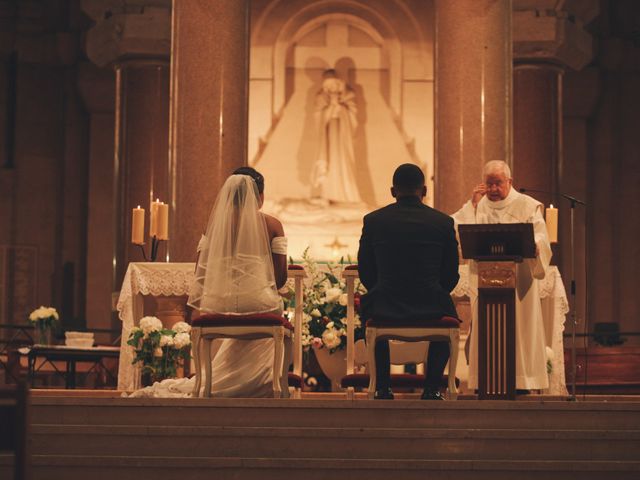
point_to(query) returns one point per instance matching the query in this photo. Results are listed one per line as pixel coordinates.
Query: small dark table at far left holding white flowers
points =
(70, 355)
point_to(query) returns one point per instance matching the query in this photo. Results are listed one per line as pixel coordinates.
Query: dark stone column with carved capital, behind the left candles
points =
(135, 40)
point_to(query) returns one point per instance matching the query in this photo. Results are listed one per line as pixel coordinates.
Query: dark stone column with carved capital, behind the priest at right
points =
(545, 42)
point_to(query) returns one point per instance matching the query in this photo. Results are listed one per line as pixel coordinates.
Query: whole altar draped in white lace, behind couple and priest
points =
(174, 279)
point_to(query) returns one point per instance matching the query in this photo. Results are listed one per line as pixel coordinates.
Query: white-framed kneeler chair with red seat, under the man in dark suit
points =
(445, 329)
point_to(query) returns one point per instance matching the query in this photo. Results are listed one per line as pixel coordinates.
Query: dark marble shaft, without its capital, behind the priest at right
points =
(537, 128)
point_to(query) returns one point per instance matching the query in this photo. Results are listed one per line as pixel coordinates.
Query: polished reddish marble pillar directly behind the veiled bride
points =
(209, 103)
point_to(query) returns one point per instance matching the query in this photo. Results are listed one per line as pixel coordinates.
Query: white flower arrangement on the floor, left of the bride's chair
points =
(160, 350)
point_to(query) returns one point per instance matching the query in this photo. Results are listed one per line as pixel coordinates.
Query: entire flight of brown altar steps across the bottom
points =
(96, 438)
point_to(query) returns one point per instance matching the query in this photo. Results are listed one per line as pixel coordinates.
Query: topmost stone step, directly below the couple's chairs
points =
(470, 414)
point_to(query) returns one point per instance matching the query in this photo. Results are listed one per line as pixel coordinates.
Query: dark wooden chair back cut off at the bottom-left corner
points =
(14, 426)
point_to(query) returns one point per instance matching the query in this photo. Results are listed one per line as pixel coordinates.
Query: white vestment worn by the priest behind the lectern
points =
(531, 362)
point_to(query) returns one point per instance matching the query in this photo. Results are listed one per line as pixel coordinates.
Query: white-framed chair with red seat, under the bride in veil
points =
(209, 327)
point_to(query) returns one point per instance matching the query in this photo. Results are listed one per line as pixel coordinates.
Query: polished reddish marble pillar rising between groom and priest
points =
(473, 94)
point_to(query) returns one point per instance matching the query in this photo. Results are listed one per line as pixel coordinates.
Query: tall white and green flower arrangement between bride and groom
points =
(324, 318)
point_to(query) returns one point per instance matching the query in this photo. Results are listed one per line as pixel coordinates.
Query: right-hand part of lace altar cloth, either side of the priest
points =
(555, 307)
